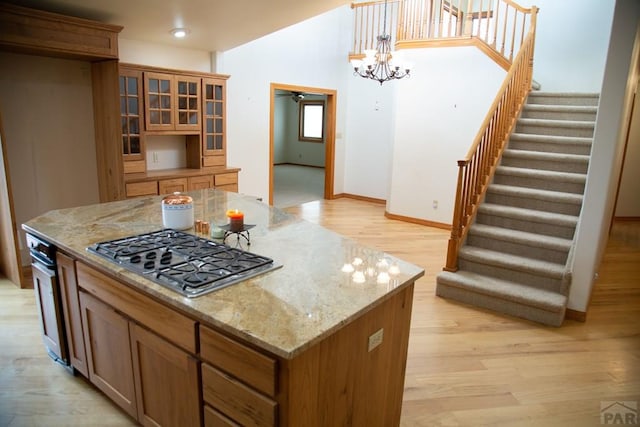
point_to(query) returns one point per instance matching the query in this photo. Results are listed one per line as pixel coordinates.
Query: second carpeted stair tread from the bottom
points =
(512, 262)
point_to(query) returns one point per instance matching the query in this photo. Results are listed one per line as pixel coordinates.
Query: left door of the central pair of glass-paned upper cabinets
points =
(159, 100)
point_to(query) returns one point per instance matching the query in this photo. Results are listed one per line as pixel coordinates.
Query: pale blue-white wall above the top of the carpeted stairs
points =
(571, 43)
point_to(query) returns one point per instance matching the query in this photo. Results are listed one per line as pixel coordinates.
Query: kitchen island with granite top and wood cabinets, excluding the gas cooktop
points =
(320, 341)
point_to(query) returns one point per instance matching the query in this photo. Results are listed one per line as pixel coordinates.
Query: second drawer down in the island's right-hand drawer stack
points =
(236, 400)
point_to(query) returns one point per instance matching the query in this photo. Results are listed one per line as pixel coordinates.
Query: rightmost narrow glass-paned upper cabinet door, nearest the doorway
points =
(214, 117)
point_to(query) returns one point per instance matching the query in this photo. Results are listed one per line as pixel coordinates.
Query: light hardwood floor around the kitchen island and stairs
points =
(466, 366)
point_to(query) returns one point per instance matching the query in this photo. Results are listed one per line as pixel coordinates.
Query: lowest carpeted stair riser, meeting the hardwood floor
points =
(500, 305)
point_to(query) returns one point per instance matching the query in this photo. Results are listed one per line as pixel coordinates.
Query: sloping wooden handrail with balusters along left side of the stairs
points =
(476, 170)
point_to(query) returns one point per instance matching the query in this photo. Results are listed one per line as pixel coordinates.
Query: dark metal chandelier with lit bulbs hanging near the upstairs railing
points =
(378, 63)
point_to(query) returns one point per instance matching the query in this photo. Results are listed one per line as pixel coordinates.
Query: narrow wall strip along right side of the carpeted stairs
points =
(606, 154)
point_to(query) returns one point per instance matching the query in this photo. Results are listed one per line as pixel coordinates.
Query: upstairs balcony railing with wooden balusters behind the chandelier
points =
(498, 27)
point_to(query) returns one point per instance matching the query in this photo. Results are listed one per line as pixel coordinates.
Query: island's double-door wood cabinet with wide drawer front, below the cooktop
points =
(154, 380)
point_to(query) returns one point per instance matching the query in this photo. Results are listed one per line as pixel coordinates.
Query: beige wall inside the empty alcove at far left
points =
(47, 113)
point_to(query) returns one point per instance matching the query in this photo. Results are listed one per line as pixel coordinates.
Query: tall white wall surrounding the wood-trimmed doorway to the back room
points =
(313, 54)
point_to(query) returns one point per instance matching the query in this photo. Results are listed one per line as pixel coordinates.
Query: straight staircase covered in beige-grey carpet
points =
(517, 256)
